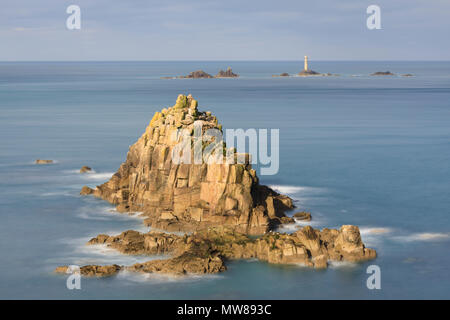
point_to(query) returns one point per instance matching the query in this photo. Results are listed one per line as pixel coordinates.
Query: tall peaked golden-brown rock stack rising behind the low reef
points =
(189, 196)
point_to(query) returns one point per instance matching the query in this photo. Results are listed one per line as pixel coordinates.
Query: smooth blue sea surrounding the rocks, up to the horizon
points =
(355, 149)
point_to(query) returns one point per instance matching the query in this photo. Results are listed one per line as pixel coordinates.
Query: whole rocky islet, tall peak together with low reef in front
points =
(224, 211)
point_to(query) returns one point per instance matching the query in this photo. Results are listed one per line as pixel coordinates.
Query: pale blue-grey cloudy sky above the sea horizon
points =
(35, 30)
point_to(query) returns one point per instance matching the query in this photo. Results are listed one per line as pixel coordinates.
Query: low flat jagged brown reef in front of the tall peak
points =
(206, 251)
